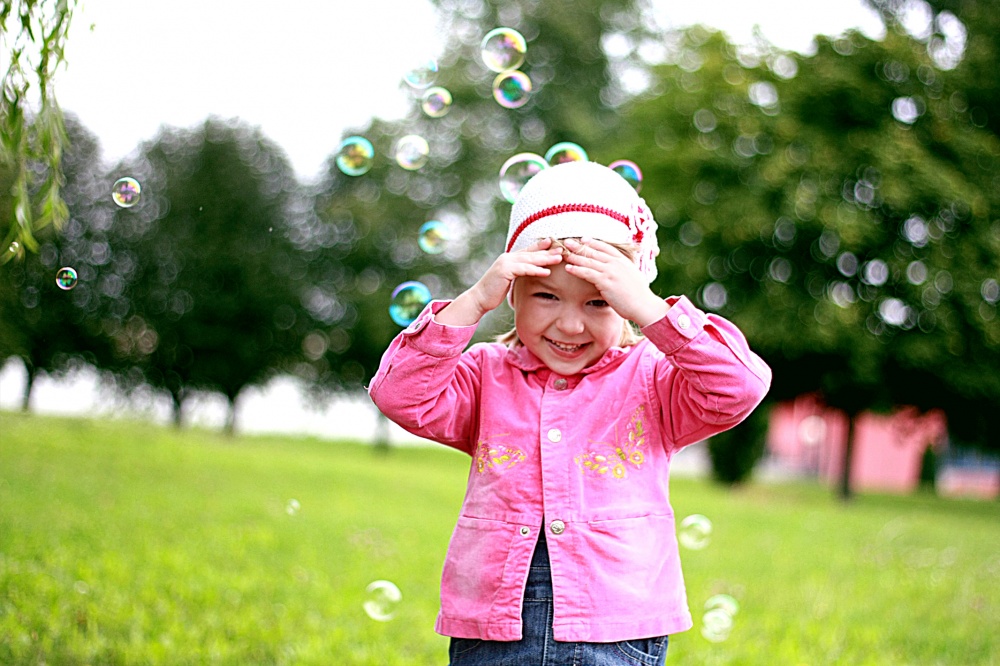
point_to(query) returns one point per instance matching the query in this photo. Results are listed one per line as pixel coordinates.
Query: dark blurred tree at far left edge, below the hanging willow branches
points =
(51, 329)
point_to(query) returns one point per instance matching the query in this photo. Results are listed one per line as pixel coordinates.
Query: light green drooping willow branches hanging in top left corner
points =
(32, 130)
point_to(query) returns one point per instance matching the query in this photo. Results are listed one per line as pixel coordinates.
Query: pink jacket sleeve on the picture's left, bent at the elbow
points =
(426, 384)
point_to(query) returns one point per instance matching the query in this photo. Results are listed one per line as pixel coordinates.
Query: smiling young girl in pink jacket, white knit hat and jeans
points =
(565, 549)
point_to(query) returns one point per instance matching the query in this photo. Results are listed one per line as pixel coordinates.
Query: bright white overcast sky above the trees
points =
(306, 73)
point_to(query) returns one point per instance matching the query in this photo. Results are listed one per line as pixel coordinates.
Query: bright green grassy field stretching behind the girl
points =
(129, 543)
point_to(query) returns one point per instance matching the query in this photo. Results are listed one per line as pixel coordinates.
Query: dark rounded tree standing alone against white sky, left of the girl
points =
(211, 299)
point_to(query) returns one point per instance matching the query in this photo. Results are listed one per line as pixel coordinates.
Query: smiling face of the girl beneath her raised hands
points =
(563, 320)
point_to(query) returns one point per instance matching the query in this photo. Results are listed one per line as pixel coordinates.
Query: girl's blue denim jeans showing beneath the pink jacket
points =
(538, 648)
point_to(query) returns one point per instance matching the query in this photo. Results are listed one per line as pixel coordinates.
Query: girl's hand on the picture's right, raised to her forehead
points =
(618, 279)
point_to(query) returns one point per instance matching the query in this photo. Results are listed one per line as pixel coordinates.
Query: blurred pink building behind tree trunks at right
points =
(808, 438)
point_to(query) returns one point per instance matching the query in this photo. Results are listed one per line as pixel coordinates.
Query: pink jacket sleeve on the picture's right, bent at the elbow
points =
(708, 379)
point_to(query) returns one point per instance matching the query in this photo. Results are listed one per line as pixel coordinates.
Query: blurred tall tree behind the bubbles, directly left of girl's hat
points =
(365, 227)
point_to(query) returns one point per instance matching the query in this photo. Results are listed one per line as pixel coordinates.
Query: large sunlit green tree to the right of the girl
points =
(834, 207)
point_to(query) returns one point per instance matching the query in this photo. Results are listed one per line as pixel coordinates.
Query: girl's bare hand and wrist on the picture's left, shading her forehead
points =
(491, 289)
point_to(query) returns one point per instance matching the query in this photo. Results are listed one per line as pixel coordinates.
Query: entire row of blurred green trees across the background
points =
(841, 208)
